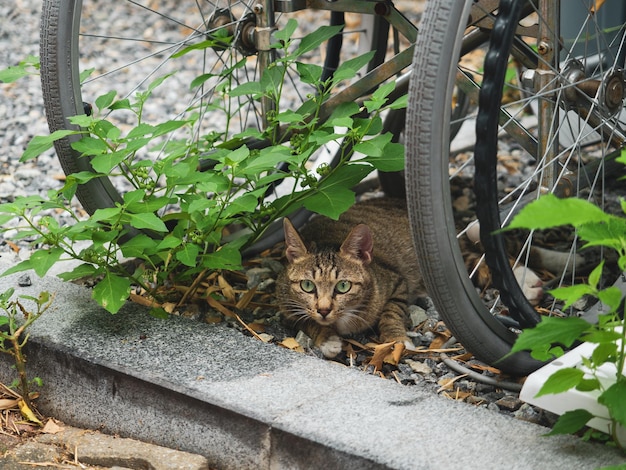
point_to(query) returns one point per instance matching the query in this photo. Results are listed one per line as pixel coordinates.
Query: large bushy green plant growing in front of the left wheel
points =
(174, 216)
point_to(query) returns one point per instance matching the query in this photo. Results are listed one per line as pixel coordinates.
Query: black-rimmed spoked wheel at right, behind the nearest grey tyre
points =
(577, 87)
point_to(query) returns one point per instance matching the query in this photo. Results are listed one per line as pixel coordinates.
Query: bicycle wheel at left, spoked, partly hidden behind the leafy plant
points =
(87, 50)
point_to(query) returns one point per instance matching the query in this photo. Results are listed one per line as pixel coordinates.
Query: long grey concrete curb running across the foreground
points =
(208, 390)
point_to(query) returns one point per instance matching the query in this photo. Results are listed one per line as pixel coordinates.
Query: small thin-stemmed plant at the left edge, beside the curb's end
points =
(14, 325)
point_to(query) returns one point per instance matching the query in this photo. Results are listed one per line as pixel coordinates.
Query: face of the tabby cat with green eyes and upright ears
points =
(329, 287)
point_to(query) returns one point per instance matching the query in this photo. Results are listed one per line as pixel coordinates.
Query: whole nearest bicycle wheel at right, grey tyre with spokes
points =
(441, 170)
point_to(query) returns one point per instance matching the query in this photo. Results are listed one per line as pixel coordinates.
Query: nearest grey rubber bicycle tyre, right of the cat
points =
(431, 216)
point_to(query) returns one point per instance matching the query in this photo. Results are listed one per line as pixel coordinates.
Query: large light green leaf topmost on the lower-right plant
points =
(550, 211)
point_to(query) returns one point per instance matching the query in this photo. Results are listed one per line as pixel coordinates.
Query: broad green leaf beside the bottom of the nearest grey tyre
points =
(549, 331)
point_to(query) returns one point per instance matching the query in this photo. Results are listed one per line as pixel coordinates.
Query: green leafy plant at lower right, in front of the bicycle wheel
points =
(549, 338)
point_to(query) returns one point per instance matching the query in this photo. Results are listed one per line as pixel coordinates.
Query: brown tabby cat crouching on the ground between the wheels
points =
(345, 277)
